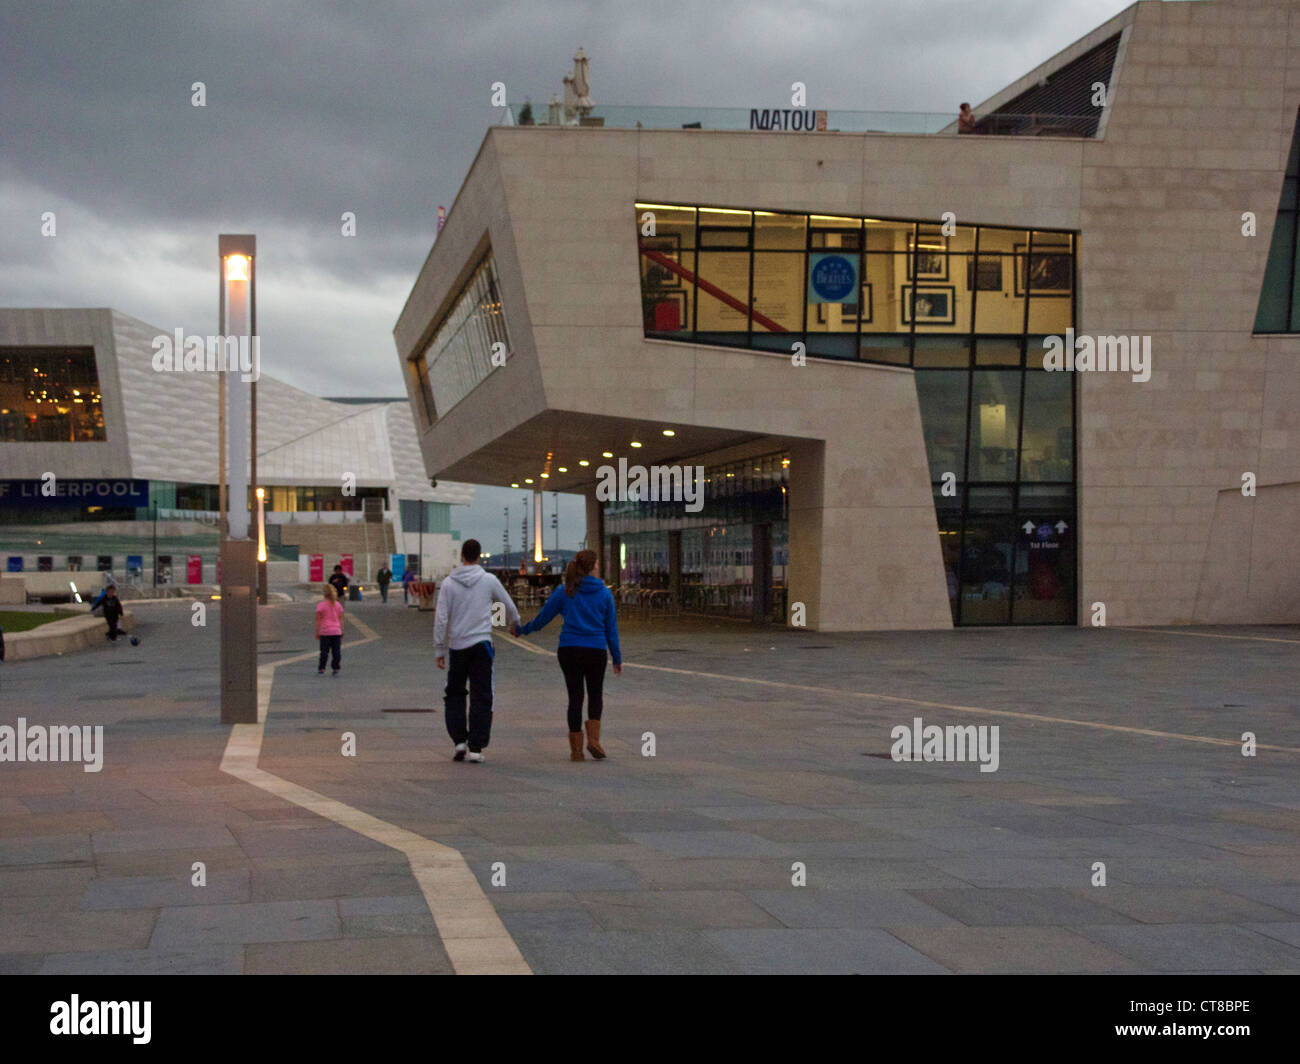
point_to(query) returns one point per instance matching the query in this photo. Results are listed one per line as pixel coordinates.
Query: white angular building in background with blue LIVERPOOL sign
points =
(81, 399)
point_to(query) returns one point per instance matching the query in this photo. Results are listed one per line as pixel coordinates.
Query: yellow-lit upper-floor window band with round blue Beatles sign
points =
(850, 288)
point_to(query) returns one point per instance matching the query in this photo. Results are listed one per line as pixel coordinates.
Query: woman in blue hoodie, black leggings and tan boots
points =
(590, 628)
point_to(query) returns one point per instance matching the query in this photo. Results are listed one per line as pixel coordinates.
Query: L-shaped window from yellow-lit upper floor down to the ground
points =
(967, 309)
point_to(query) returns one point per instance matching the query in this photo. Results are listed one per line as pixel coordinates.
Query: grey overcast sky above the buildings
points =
(318, 107)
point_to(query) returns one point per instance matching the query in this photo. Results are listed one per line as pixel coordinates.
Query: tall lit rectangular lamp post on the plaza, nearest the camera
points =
(237, 317)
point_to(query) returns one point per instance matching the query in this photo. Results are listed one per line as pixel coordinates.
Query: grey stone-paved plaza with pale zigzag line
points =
(772, 765)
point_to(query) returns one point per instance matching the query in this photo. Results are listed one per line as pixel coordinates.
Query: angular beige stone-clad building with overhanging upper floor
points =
(649, 295)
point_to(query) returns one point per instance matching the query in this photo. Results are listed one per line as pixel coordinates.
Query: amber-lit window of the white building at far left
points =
(50, 396)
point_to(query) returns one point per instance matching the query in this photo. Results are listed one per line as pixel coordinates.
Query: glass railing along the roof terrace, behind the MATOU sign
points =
(813, 120)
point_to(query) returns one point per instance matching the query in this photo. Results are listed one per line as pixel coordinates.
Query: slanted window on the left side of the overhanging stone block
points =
(460, 356)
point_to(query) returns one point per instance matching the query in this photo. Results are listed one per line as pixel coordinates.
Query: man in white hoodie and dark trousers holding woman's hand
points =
(463, 622)
